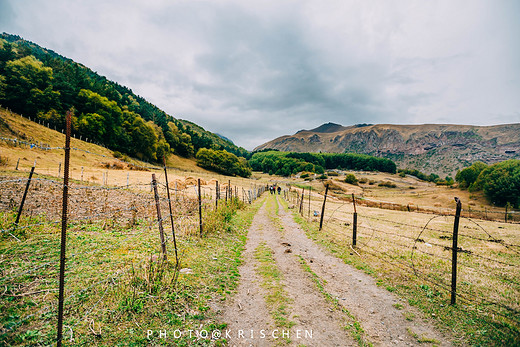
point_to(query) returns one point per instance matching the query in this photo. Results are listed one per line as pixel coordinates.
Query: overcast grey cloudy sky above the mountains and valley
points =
(256, 70)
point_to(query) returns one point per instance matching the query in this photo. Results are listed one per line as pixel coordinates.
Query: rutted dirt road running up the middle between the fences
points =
(293, 292)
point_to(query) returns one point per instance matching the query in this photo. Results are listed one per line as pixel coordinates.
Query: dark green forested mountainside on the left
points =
(43, 85)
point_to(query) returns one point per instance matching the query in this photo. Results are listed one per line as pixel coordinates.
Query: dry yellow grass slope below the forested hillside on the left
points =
(91, 163)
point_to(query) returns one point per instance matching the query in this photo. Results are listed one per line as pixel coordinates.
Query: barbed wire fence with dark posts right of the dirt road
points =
(474, 261)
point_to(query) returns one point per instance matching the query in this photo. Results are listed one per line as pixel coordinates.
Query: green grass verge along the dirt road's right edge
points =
(468, 322)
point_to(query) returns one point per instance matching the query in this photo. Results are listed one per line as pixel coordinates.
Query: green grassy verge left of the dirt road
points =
(119, 291)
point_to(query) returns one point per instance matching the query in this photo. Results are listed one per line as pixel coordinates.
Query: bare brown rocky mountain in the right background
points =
(432, 148)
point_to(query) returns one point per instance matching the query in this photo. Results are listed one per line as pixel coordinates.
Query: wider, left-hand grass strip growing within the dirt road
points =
(276, 298)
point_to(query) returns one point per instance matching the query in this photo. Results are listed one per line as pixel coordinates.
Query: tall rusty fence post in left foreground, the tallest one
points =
(64, 230)
